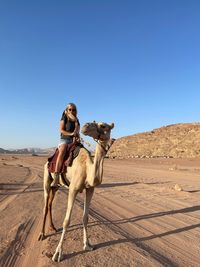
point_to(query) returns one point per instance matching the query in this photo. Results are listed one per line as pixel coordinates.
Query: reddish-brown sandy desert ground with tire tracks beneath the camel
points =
(137, 218)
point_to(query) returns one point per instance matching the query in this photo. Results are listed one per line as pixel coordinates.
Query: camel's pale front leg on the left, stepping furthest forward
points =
(71, 198)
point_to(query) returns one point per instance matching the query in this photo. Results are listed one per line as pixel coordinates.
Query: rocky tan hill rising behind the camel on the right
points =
(177, 141)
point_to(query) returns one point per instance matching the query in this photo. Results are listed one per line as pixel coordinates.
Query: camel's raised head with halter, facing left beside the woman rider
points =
(98, 130)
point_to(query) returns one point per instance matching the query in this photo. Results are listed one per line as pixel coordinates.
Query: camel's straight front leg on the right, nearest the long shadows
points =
(88, 197)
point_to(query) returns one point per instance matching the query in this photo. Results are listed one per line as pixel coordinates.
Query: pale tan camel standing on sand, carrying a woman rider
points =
(85, 173)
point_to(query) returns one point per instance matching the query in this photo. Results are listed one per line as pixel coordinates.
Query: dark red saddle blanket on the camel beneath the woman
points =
(72, 151)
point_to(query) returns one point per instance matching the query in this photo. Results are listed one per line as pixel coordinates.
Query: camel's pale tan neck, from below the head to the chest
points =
(96, 169)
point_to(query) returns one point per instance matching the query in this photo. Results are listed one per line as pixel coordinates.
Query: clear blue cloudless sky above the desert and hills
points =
(134, 63)
